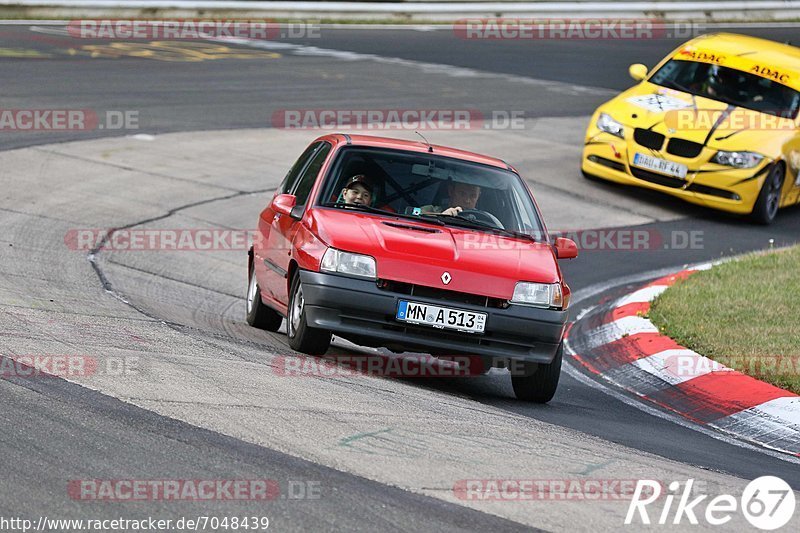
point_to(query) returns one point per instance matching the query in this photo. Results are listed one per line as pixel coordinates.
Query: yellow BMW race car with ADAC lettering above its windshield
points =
(715, 123)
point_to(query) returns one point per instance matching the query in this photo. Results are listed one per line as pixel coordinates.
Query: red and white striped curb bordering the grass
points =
(618, 344)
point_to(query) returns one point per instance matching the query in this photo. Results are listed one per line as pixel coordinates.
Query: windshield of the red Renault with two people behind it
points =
(432, 188)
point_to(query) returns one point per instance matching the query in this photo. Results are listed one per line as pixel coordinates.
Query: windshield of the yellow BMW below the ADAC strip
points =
(731, 86)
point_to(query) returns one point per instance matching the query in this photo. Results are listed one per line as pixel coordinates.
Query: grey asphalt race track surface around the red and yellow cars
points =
(203, 395)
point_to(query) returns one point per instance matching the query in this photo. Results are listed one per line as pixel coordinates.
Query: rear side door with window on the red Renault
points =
(265, 272)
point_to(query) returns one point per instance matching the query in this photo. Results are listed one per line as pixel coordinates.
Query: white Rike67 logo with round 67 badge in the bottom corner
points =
(767, 503)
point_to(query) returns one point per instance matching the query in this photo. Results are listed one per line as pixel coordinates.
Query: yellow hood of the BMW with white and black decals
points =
(698, 119)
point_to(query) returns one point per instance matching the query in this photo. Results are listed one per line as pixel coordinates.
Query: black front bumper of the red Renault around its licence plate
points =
(361, 312)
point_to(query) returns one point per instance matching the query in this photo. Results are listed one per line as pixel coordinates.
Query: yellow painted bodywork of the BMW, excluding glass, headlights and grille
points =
(692, 119)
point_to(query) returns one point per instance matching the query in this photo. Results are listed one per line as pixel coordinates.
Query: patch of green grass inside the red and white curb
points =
(744, 314)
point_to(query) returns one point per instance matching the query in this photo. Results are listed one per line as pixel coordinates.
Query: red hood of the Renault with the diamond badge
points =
(414, 252)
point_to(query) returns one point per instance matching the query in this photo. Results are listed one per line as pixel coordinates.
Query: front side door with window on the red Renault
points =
(277, 254)
